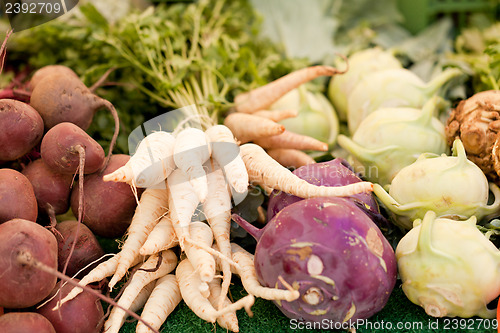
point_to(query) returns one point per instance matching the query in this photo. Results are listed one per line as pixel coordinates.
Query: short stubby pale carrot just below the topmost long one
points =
(247, 127)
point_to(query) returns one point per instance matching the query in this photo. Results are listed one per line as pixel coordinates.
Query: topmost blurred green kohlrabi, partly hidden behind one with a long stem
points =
(360, 63)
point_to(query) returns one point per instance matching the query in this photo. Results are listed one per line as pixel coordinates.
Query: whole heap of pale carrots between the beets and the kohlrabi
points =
(191, 170)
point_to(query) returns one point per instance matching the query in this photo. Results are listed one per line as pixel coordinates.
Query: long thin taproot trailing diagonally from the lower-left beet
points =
(26, 258)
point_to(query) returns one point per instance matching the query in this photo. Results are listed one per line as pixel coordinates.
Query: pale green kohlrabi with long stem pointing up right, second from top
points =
(392, 88)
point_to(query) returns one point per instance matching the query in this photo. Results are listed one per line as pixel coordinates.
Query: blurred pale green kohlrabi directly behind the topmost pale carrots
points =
(316, 118)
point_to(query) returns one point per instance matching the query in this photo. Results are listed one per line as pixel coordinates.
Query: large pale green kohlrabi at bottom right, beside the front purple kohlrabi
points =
(449, 267)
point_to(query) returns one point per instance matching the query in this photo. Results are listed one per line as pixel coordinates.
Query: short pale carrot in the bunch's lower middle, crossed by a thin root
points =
(202, 261)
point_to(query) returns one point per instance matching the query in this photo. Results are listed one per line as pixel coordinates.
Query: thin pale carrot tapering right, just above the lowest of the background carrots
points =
(291, 140)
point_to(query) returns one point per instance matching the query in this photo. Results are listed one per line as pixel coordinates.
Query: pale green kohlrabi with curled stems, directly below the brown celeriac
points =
(451, 186)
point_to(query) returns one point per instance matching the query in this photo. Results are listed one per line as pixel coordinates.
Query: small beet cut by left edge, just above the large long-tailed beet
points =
(17, 197)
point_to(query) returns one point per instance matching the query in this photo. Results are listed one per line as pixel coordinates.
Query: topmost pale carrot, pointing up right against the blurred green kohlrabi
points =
(261, 98)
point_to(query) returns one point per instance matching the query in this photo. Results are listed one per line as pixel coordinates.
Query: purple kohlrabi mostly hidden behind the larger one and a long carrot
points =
(336, 172)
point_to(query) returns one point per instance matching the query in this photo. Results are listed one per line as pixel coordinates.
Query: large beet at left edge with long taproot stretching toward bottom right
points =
(21, 285)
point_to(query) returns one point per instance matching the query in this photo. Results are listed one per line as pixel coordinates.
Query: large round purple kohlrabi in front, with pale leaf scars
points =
(334, 254)
